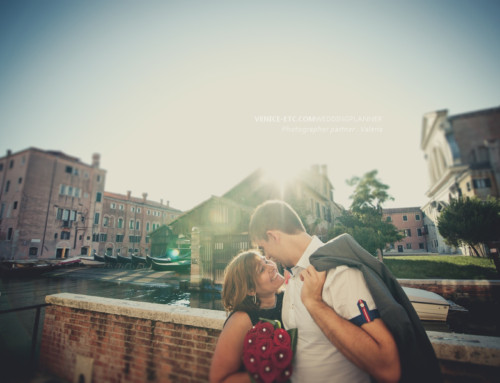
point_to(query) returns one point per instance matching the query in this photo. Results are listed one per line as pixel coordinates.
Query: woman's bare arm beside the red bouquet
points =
(227, 358)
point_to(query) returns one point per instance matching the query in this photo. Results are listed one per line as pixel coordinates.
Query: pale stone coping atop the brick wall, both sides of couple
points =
(463, 348)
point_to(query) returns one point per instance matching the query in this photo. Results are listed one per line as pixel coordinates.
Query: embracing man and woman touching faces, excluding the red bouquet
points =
(354, 322)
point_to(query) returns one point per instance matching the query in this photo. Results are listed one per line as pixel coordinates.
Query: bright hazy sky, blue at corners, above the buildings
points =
(170, 92)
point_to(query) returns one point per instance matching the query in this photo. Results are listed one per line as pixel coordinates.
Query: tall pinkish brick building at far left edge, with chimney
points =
(46, 201)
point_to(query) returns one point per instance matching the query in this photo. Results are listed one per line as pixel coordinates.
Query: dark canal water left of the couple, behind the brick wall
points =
(16, 328)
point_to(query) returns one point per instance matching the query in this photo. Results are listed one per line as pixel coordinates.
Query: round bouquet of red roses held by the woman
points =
(268, 352)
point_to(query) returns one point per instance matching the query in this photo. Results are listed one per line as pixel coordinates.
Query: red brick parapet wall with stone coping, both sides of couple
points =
(125, 341)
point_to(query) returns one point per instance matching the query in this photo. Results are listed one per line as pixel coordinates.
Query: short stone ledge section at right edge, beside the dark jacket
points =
(474, 349)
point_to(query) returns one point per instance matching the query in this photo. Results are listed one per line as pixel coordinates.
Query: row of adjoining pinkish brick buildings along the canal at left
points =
(52, 205)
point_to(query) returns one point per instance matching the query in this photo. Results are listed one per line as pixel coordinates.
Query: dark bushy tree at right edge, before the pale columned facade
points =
(471, 222)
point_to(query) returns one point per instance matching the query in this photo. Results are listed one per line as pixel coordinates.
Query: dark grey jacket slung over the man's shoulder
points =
(418, 360)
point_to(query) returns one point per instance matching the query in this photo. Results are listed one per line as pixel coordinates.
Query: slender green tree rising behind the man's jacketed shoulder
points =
(364, 220)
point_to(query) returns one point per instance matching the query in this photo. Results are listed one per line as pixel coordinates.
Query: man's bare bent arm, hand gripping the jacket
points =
(371, 347)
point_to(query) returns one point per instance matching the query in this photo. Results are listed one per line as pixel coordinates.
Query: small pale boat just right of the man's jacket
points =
(428, 305)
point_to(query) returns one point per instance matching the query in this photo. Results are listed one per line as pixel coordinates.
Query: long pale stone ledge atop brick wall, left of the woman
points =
(153, 311)
